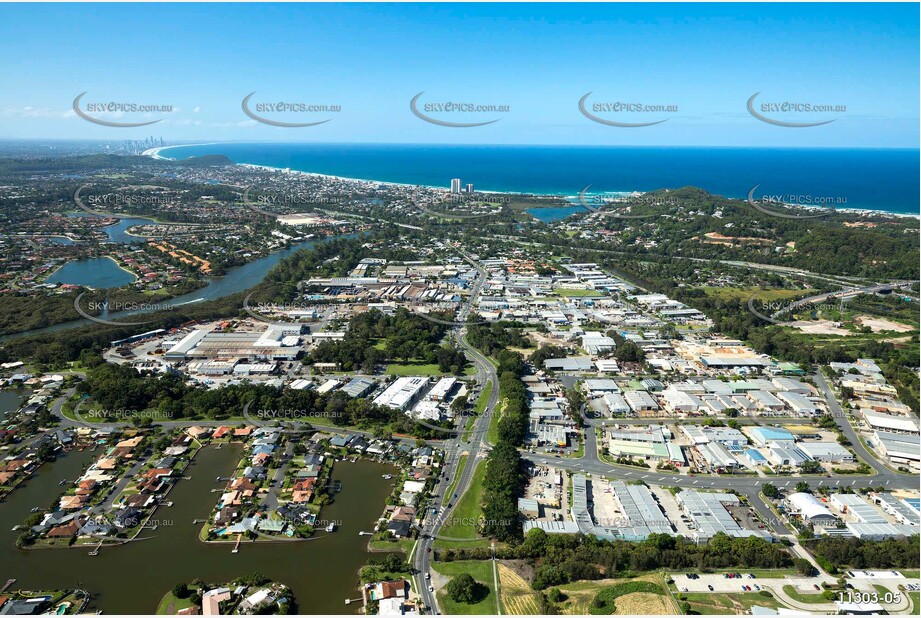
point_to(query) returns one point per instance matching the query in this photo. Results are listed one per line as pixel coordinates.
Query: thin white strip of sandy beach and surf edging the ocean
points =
(155, 153)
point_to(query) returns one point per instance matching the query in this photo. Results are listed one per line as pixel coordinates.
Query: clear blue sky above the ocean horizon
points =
(702, 62)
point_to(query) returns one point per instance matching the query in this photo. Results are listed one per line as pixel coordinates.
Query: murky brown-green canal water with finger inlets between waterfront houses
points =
(131, 579)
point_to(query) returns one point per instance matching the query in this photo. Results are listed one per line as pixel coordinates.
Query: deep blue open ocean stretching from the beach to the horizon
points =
(874, 179)
